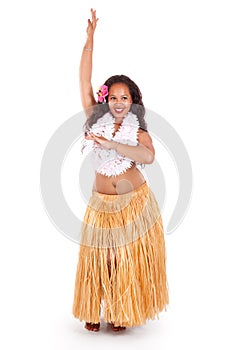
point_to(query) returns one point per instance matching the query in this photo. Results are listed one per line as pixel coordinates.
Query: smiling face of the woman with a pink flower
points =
(119, 100)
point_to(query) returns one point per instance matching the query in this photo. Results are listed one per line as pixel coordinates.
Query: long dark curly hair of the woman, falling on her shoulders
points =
(137, 106)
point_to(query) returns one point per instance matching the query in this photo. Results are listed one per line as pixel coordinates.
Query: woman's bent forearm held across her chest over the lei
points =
(139, 153)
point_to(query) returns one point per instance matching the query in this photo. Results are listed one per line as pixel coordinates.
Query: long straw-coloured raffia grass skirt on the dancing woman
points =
(121, 268)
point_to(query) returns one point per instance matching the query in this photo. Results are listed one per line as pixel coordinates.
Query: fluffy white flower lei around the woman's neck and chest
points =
(107, 161)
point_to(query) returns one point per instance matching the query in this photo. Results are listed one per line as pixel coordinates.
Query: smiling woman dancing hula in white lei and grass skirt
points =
(122, 259)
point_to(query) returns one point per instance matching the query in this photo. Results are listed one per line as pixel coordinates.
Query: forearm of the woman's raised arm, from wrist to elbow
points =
(85, 69)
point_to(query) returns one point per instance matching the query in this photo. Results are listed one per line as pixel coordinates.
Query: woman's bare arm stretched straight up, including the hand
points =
(85, 69)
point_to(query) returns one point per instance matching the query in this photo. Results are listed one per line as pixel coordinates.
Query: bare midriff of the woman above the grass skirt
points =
(120, 184)
